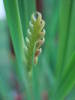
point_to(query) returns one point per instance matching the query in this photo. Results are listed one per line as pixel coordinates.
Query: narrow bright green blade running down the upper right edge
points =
(71, 41)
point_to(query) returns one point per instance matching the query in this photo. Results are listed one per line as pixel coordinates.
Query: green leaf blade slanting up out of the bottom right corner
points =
(67, 80)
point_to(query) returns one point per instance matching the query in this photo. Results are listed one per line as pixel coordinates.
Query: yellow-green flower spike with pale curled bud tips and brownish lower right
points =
(34, 39)
